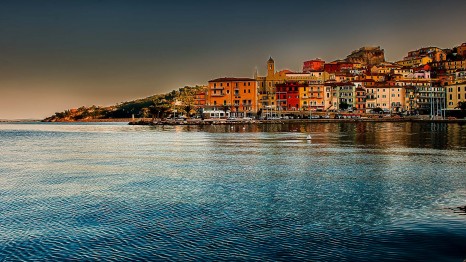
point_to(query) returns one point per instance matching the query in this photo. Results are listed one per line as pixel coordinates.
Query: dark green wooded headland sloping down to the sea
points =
(180, 101)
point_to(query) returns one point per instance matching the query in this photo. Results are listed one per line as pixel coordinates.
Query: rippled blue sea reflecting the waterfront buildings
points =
(355, 192)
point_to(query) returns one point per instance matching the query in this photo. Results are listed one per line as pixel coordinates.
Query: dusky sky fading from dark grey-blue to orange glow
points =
(59, 54)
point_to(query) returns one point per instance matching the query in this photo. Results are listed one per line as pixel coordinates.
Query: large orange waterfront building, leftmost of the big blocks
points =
(237, 95)
